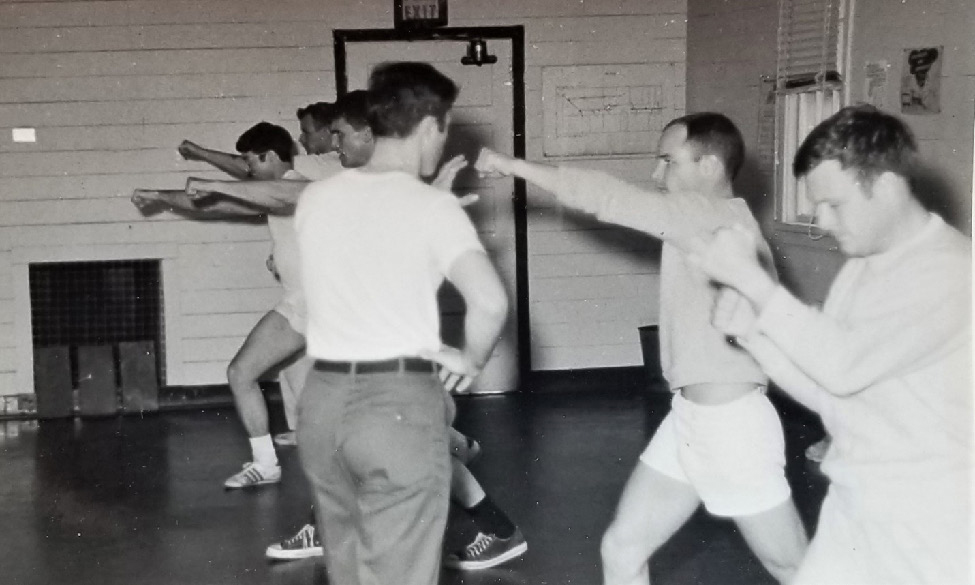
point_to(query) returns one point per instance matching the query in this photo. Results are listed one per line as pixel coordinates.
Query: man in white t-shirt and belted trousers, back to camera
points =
(376, 243)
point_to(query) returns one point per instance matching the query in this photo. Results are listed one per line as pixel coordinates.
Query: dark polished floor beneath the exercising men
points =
(140, 500)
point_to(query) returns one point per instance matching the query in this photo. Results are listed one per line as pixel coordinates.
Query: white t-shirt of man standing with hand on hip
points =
(374, 248)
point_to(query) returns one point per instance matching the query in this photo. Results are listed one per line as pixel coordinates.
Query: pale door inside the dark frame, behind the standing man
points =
(482, 116)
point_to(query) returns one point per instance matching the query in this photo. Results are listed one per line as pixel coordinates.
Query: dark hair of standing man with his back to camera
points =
(402, 94)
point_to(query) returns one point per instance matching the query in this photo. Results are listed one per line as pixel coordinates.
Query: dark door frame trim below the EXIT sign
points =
(516, 34)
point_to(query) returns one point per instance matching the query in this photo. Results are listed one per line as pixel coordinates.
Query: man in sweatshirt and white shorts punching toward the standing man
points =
(722, 443)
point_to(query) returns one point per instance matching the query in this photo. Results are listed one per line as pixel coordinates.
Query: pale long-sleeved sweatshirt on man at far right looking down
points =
(887, 364)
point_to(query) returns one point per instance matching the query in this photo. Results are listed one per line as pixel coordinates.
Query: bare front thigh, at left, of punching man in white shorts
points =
(652, 508)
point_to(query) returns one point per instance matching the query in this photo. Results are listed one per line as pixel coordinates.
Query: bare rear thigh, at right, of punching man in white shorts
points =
(778, 539)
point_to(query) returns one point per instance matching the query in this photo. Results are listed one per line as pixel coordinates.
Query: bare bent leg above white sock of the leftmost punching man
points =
(270, 342)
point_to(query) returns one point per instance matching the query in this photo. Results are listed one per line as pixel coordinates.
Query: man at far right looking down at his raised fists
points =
(886, 362)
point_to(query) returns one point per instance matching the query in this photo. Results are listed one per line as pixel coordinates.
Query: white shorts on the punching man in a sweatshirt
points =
(732, 454)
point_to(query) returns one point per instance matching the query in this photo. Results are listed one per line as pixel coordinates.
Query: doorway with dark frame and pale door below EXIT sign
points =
(489, 112)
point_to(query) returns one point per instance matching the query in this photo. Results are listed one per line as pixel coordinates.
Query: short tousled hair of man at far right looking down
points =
(862, 138)
